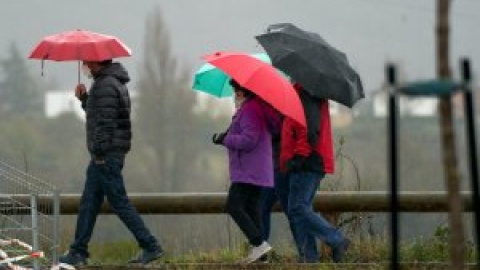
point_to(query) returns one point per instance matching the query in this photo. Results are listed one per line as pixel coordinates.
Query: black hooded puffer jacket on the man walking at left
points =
(107, 106)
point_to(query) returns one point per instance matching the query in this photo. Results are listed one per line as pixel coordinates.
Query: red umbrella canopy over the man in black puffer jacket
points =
(79, 45)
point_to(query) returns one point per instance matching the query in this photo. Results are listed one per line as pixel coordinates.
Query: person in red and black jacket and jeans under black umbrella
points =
(306, 155)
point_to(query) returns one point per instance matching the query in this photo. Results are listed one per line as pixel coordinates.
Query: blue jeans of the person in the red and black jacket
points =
(303, 187)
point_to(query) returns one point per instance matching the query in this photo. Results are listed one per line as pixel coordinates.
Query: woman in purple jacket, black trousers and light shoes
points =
(251, 166)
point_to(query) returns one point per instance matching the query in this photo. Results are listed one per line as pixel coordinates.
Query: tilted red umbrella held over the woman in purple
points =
(262, 79)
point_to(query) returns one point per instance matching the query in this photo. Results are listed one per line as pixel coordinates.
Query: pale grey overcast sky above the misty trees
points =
(370, 32)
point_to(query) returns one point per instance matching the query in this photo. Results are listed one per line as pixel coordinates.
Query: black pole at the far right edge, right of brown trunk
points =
(472, 147)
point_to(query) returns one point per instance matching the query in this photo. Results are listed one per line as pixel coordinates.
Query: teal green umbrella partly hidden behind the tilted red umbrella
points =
(214, 81)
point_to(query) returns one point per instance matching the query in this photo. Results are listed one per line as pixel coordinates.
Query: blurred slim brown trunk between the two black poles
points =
(448, 139)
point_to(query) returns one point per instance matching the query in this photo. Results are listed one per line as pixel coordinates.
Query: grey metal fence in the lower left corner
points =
(28, 229)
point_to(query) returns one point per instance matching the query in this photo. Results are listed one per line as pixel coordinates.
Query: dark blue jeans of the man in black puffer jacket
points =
(106, 180)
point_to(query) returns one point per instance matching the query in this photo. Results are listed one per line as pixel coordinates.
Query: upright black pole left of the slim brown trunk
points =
(393, 151)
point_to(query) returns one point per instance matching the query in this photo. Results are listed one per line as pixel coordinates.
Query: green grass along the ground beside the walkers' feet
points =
(364, 250)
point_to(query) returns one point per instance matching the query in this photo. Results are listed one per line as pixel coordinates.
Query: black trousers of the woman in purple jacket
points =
(244, 208)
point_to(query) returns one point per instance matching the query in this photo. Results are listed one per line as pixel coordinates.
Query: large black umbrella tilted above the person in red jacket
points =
(309, 60)
